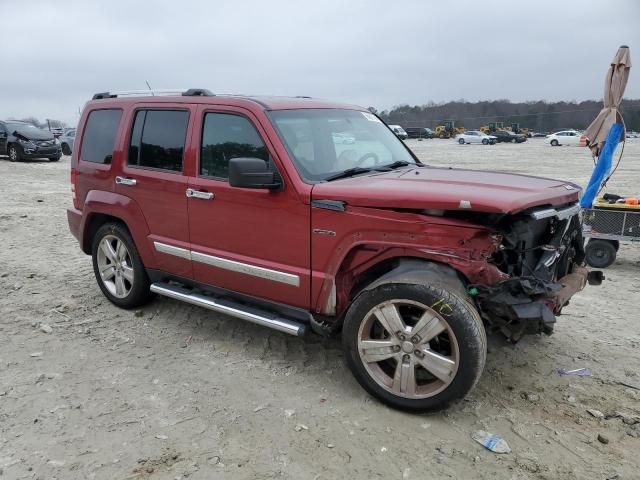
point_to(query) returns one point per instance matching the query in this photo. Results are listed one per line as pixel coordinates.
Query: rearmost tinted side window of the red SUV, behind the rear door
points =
(100, 135)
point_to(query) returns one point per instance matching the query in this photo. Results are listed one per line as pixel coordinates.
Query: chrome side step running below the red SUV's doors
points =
(254, 315)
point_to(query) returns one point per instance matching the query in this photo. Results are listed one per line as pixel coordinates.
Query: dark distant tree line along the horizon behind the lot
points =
(540, 116)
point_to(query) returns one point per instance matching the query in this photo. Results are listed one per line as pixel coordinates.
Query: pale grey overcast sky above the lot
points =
(56, 54)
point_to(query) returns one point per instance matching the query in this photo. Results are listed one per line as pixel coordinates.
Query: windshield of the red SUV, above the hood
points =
(326, 142)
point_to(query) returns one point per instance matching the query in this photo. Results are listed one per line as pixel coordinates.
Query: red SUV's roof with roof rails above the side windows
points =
(266, 102)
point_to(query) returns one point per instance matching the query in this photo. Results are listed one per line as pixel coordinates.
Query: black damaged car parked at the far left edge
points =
(20, 140)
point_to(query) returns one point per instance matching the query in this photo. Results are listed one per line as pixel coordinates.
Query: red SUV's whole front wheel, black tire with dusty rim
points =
(459, 350)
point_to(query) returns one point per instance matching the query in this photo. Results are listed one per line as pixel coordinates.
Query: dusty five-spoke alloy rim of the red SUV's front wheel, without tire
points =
(408, 349)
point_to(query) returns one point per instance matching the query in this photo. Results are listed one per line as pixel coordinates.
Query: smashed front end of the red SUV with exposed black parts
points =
(542, 252)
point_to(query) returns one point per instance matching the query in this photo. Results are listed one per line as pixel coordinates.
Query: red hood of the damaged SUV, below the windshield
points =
(448, 189)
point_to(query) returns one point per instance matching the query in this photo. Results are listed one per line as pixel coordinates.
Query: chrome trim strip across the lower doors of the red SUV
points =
(231, 265)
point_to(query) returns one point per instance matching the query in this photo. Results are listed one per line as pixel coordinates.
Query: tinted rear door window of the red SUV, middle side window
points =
(158, 138)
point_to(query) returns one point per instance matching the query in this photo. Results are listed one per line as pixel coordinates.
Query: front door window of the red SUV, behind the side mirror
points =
(226, 136)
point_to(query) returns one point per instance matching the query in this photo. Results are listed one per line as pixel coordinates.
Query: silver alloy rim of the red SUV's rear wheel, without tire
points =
(115, 266)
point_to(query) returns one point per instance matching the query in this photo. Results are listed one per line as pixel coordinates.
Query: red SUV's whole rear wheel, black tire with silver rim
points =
(133, 291)
